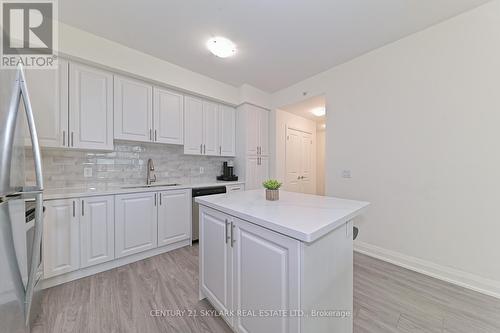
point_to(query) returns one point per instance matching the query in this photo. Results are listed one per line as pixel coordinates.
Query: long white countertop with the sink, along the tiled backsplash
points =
(79, 192)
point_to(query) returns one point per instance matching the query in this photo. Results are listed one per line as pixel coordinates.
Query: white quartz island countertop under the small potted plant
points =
(301, 216)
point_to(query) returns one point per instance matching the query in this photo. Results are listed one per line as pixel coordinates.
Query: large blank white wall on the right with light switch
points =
(418, 124)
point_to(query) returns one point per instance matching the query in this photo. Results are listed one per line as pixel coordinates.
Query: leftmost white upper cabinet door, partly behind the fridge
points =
(48, 90)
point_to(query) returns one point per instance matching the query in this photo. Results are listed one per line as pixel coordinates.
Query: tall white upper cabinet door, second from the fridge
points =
(90, 108)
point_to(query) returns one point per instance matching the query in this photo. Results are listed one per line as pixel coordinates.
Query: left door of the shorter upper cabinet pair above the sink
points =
(133, 109)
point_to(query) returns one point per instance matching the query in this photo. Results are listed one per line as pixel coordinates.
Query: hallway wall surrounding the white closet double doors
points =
(282, 121)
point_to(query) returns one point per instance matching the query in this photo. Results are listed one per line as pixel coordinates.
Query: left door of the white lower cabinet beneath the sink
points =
(135, 223)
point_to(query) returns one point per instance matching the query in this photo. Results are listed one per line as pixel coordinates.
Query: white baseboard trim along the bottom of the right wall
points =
(463, 279)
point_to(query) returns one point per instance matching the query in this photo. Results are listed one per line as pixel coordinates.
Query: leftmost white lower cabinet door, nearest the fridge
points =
(61, 250)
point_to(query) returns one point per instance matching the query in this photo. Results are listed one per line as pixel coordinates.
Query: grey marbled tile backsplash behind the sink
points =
(127, 164)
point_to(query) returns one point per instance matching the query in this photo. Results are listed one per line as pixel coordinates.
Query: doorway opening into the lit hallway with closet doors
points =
(300, 146)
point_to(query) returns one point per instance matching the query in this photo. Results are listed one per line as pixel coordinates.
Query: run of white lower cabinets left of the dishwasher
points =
(94, 231)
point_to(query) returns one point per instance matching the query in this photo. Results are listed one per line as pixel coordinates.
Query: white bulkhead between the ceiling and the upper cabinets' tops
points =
(85, 46)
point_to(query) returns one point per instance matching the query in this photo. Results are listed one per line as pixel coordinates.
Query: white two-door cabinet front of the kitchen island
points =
(245, 269)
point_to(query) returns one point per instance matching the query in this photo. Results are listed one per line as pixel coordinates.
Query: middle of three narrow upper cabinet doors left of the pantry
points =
(210, 129)
